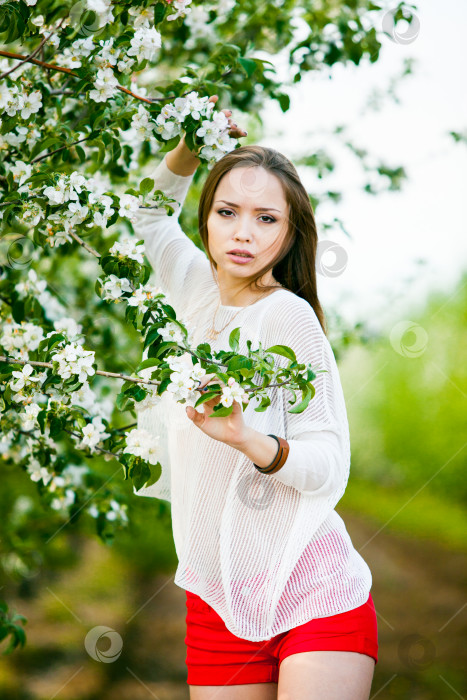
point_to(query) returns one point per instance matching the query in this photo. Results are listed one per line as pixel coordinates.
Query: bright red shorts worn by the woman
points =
(215, 656)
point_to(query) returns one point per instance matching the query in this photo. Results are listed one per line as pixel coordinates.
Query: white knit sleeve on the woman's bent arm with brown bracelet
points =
(319, 457)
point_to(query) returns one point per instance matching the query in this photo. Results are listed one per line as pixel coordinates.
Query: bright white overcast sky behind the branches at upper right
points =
(382, 280)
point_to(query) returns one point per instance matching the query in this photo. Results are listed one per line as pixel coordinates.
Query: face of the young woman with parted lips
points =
(249, 212)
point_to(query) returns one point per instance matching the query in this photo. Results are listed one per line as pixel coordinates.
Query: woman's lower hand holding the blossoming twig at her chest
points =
(231, 430)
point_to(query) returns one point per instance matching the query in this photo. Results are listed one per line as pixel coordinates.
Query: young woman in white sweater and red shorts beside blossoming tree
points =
(278, 600)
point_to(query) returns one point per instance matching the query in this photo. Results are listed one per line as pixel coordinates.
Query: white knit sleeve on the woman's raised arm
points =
(172, 255)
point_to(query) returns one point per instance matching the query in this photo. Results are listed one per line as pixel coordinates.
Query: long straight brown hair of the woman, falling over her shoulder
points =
(295, 264)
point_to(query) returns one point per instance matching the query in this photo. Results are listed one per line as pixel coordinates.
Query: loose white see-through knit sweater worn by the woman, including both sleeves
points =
(267, 551)
